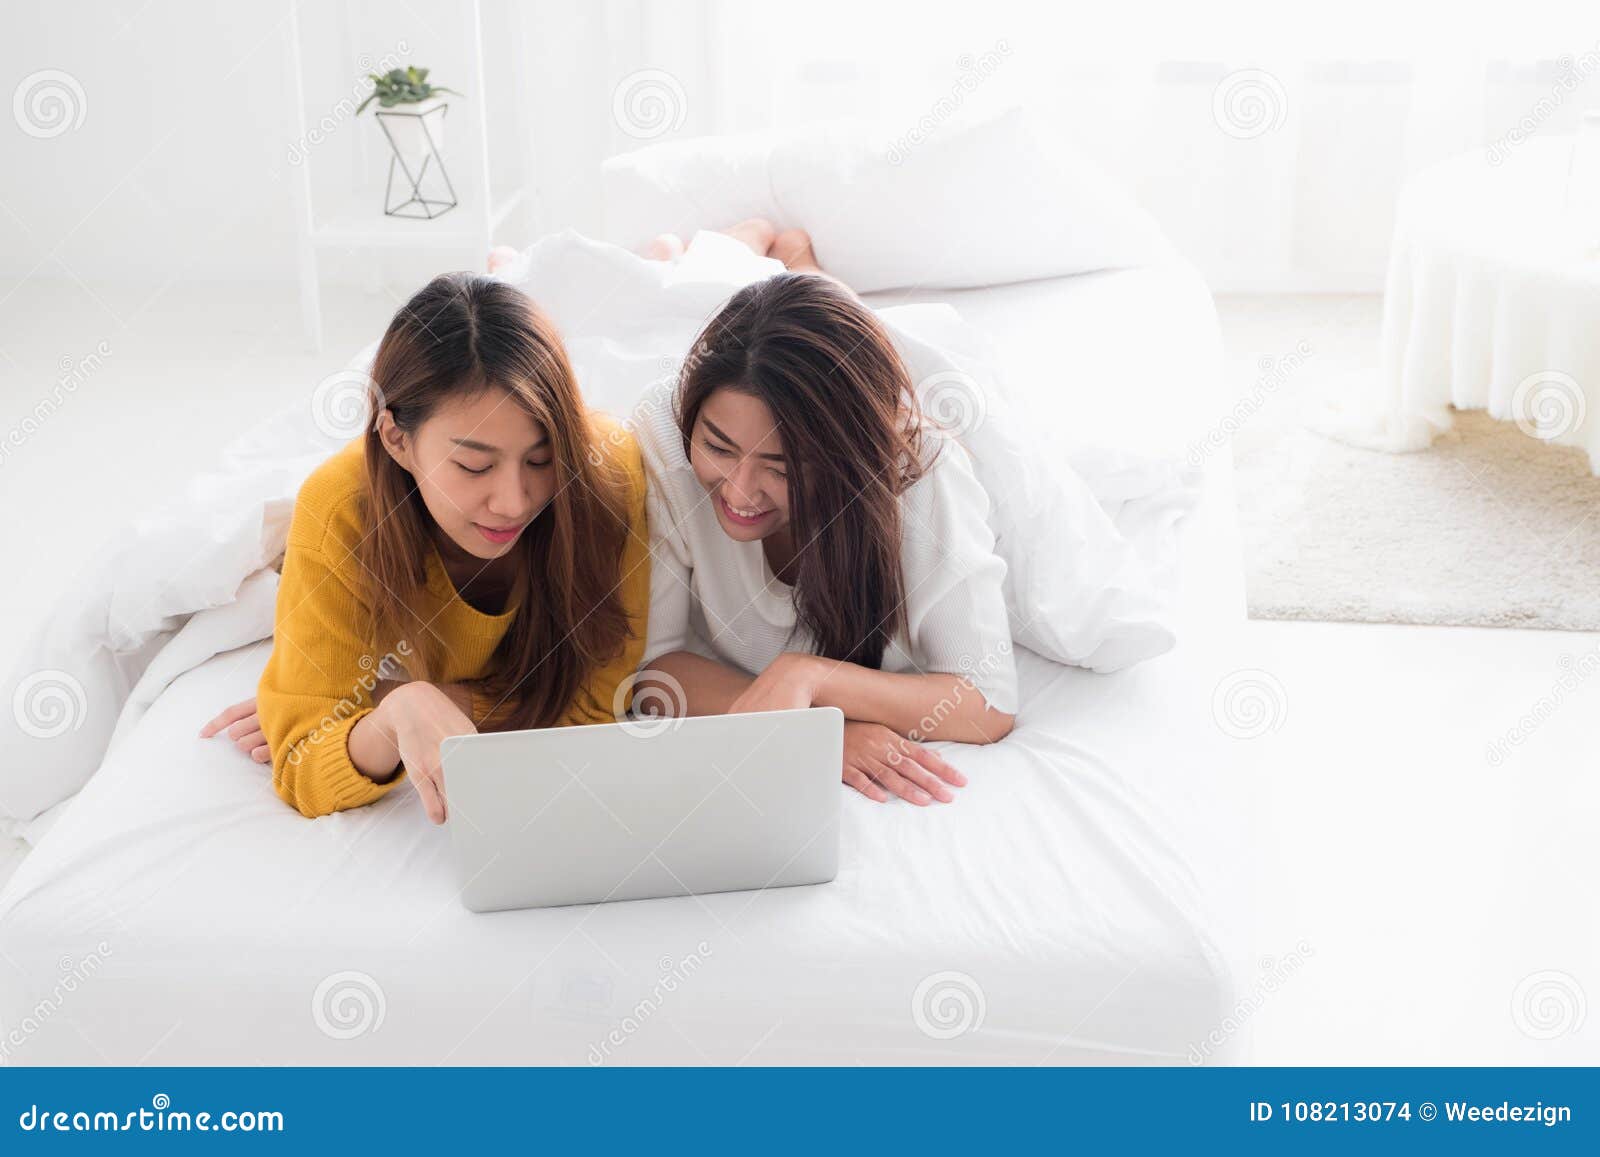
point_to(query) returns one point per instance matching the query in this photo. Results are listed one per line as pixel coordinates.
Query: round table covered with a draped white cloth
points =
(1494, 300)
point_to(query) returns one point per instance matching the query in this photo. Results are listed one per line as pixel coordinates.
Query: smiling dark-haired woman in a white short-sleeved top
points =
(817, 545)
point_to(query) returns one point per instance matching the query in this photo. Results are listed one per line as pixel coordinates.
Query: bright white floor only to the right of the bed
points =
(1447, 899)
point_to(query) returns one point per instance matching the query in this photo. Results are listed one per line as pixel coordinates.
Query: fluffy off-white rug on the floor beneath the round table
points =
(1489, 527)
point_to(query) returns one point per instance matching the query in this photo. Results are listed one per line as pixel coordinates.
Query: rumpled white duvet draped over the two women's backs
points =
(1082, 593)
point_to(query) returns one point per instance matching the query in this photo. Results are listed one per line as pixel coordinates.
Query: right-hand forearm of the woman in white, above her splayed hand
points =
(935, 707)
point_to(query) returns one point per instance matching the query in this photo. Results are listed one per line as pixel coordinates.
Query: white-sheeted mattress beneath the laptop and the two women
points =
(1054, 913)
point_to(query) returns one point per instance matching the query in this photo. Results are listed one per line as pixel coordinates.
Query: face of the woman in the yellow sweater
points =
(486, 470)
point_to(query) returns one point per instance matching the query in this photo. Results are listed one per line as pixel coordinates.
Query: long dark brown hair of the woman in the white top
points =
(852, 434)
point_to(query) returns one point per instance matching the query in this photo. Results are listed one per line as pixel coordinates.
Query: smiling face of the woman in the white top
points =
(738, 457)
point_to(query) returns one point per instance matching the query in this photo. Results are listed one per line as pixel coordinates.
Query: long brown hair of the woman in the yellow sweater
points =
(458, 337)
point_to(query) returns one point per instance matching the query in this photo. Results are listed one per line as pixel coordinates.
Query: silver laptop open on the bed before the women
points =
(642, 809)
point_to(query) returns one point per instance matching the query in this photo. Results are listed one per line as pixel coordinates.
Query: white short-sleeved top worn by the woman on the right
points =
(719, 598)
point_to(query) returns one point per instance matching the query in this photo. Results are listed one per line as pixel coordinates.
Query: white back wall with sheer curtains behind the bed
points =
(180, 169)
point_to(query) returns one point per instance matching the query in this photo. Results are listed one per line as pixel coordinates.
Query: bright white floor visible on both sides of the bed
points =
(1442, 903)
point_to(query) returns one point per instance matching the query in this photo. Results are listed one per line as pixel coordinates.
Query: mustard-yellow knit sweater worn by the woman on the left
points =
(319, 681)
